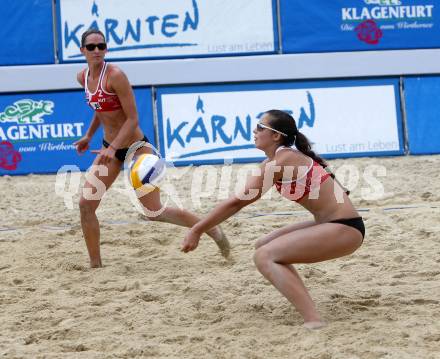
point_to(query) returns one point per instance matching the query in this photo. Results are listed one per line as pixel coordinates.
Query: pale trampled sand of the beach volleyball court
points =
(152, 301)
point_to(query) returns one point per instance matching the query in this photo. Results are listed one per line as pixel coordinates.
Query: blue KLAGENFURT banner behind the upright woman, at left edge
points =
(37, 130)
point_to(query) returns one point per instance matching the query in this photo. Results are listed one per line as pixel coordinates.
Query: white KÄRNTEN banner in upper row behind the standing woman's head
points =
(172, 28)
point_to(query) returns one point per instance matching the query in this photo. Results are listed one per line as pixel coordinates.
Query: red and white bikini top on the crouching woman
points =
(308, 180)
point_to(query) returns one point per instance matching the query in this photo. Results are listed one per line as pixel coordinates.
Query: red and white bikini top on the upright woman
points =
(101, 100)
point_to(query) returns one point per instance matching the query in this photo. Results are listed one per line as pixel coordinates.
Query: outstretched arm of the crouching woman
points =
(256, 186)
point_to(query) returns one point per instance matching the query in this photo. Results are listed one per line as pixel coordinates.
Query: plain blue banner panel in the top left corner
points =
(26, 32)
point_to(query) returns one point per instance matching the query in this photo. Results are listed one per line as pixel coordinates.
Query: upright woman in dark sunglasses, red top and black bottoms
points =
(110, 95)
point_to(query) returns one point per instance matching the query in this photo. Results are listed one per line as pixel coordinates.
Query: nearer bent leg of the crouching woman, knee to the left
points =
(308, 245)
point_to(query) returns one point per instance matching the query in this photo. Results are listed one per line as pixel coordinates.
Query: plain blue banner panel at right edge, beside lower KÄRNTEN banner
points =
(422, 112)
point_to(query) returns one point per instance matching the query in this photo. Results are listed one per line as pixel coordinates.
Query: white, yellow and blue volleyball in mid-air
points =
(146, 172)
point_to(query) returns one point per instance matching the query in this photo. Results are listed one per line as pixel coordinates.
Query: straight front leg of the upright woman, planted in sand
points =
(98, 180)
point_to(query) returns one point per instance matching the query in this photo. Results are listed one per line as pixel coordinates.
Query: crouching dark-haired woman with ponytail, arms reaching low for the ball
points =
(336, 229)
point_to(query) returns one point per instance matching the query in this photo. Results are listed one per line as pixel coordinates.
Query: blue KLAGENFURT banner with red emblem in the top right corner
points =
(350, 25)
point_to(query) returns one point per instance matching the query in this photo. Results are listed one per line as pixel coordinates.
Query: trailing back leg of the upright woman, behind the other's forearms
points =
(181, 217)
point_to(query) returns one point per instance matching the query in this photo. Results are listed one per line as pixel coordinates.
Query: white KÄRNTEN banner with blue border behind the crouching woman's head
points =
(210, 124)
